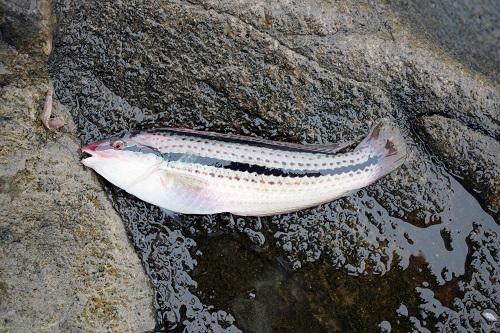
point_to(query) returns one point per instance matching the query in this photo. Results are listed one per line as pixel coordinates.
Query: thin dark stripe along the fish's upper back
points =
(250, 141)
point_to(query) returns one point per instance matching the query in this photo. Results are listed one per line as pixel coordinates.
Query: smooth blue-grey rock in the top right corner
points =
(468, 30)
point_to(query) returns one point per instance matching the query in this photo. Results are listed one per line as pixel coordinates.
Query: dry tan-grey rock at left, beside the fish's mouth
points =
(66, 264)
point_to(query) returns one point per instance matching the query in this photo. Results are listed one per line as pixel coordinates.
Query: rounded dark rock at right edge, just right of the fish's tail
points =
(470, 155)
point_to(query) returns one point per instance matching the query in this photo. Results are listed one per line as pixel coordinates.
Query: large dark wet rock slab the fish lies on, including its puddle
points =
(305, 71)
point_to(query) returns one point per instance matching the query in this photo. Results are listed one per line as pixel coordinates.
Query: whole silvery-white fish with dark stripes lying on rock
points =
(196, 172)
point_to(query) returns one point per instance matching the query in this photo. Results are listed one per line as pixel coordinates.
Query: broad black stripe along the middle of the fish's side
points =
(266, 171)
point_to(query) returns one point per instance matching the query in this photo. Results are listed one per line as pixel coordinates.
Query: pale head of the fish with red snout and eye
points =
(122, 161)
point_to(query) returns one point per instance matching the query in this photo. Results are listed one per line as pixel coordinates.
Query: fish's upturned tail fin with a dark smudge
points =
(385, 140)
